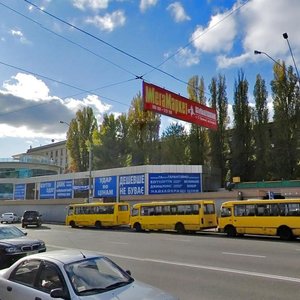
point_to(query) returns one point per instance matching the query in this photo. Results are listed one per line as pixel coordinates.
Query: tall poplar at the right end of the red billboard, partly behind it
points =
(219, 138)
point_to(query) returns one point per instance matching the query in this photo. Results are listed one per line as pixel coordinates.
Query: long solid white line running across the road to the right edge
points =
(203, 267)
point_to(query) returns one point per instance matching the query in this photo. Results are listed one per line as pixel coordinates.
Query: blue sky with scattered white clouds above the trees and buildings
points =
(59, 56)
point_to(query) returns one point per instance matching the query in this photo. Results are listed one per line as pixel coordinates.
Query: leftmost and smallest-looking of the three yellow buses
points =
(98, 214)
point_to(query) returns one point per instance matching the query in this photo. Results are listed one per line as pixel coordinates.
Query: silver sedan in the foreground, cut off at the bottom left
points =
(73, 274)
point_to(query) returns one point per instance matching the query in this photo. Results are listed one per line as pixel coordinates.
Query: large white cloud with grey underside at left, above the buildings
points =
(27, 109)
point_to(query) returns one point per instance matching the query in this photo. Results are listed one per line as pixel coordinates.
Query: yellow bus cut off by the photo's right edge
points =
(279, 217)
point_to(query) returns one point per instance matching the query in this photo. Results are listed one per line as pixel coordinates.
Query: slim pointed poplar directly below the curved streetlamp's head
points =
(262, 144)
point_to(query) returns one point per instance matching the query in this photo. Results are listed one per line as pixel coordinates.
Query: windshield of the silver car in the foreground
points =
(96, 275)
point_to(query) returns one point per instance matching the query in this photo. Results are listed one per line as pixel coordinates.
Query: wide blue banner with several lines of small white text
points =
(174, 183)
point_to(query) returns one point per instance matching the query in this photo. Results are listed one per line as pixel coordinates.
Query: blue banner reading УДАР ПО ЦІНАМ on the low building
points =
(106, 186)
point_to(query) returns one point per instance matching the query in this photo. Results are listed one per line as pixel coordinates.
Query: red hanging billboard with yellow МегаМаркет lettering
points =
(168, 103)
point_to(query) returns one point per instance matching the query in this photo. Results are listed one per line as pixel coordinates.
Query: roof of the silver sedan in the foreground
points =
(66, 256)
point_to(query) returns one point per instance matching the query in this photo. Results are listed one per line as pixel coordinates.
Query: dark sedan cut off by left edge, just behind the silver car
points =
(14, 244)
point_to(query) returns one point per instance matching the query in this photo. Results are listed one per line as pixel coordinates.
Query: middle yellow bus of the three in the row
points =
(180, 216)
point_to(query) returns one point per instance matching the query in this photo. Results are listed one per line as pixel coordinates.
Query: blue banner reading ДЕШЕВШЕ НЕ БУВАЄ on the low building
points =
(132, 184)
